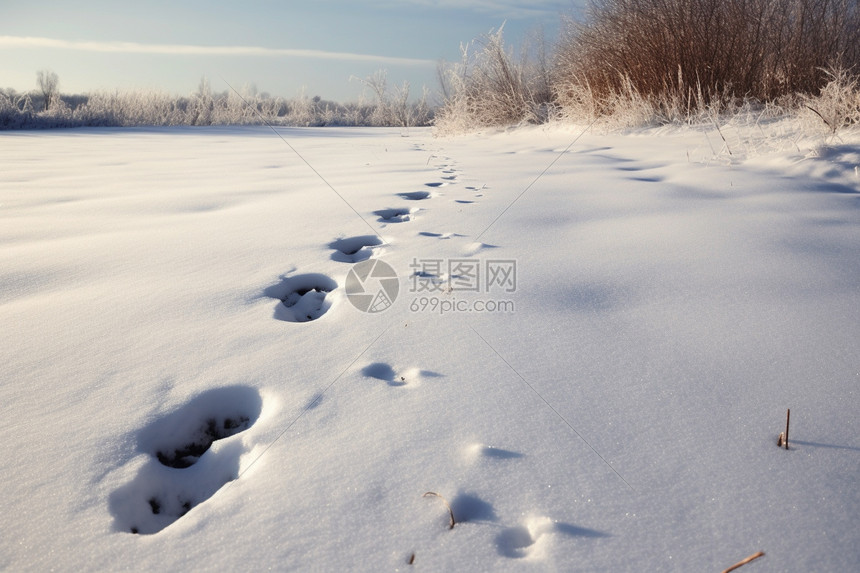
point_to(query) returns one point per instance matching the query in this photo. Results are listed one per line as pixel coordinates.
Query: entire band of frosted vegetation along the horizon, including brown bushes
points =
(624, 63)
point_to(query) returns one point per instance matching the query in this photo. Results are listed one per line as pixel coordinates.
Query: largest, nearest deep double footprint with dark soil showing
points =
(185, 466)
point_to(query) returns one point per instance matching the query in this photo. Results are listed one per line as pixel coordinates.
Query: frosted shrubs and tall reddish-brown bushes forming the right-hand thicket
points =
(644, 62)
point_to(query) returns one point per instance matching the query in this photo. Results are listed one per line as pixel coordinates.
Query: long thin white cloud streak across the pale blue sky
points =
(190, 50)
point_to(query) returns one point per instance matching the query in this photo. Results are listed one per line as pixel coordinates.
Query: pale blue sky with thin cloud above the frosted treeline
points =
(285, 48)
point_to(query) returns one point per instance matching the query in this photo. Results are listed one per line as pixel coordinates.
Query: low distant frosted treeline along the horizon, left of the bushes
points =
(48, 108)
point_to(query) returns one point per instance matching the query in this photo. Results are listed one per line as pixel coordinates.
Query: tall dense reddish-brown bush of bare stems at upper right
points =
(677, 58)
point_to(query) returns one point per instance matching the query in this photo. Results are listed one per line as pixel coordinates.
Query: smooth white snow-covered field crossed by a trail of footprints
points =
(594, 380)
